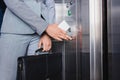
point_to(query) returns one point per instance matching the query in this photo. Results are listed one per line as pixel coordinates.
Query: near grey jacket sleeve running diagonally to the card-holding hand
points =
(21, 10)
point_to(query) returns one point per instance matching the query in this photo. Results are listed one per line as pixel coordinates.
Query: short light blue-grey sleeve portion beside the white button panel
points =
(48, 11)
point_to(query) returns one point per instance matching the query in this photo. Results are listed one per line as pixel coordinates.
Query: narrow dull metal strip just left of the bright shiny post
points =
(85, 53)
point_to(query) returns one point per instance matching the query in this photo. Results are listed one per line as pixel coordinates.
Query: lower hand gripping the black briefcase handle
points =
(45, 42)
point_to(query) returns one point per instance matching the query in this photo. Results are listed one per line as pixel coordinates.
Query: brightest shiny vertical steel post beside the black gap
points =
(96, 54)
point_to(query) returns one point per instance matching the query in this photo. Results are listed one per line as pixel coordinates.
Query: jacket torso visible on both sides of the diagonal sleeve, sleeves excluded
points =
(13, 24)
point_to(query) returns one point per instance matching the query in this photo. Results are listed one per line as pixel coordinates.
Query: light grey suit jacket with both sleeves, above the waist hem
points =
(20, 18)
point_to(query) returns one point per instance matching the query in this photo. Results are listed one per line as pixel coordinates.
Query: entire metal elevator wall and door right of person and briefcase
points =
(83, 57)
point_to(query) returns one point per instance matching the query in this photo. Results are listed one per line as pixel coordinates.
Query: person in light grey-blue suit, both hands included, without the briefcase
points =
(24, 30)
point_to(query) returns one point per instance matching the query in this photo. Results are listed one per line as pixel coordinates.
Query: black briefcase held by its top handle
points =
(40, 67)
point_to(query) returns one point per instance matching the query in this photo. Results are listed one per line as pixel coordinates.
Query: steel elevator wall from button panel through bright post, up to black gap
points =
(82, 57)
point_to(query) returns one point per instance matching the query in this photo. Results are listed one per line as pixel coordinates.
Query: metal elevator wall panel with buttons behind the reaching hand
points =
(71, 69)
